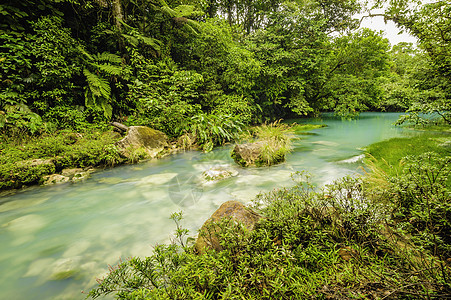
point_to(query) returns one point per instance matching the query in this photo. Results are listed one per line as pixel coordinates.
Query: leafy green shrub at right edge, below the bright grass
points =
(421, 197)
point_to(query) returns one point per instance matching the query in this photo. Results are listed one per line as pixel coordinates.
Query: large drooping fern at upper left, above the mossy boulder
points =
(99, 70)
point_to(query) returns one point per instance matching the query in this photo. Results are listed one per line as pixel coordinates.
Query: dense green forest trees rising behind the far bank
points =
(178, 65)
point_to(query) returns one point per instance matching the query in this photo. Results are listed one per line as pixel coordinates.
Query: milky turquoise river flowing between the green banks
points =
(56, 240)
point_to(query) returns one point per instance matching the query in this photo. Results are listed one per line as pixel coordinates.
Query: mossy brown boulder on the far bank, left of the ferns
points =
(142, 138)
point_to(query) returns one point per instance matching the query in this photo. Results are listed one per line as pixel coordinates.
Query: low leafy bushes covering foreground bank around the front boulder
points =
(329, 244)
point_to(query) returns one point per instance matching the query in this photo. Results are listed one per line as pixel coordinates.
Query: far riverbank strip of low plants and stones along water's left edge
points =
(69, 155)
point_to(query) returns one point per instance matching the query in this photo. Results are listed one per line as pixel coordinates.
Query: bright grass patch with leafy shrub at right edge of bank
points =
(417, 187)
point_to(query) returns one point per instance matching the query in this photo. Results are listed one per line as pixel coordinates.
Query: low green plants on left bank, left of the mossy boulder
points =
(65, 149)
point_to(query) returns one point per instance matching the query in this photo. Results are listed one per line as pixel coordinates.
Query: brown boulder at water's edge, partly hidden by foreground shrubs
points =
(231, 210)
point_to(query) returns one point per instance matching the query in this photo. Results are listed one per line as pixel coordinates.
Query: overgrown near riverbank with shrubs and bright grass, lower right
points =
(357, 238)
